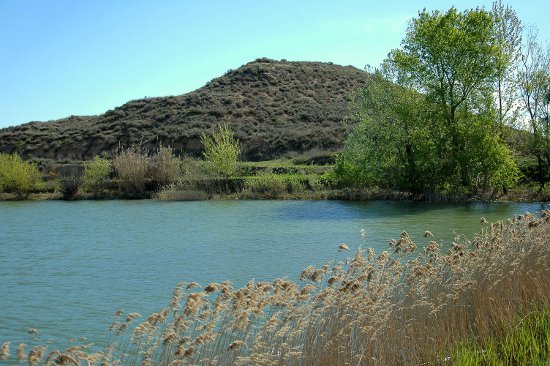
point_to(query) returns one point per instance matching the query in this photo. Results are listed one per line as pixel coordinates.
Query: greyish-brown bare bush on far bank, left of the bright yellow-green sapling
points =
(132, 169)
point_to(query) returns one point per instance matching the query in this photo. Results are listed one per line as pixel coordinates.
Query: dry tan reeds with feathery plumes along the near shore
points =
(402, 306)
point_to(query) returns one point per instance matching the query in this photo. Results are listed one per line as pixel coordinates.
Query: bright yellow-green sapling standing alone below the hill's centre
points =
(221, 151)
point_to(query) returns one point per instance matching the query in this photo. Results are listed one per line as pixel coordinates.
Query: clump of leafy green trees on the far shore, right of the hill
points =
(436, 131)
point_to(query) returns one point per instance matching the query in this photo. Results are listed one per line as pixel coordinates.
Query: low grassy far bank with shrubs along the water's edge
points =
(136, 175)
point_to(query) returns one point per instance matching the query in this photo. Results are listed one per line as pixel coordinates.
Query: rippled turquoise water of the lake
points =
(66, 267)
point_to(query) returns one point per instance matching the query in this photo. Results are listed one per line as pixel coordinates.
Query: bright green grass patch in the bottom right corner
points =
(525, 343)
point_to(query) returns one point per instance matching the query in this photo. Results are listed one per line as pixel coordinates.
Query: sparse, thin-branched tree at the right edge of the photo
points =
(534, 84)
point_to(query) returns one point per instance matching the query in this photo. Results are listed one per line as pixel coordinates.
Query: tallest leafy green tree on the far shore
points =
(453, 59)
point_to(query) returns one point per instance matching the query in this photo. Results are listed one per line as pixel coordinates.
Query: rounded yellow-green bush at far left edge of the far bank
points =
(18, 176)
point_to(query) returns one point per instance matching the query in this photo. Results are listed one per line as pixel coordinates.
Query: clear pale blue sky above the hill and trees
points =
(80, 57)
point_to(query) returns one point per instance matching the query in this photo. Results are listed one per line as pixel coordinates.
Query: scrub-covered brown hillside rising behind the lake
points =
(274, 107)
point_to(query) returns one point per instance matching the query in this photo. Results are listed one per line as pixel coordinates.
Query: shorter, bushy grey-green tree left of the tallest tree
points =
(388, 148)
